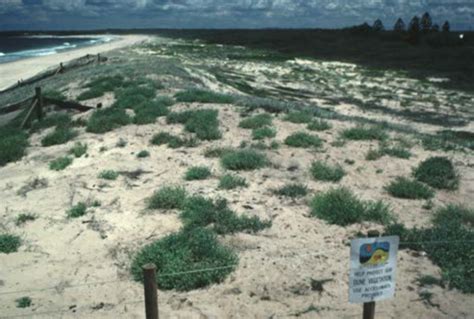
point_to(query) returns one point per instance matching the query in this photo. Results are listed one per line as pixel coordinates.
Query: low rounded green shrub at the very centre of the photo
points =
(243, 160)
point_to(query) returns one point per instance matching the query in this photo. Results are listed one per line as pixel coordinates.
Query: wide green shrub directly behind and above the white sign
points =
(340, 206)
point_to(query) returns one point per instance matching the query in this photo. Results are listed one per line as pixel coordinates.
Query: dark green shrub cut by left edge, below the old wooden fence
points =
(13, 143)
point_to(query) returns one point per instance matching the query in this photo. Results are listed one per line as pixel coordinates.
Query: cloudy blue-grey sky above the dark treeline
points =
(99, 14)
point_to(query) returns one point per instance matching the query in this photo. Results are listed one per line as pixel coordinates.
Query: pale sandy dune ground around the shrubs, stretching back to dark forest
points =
(86, 261)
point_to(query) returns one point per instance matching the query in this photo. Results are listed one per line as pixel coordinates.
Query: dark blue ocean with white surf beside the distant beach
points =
(13, 48)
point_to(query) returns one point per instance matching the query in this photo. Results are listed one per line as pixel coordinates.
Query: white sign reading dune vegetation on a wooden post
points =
(373, 267)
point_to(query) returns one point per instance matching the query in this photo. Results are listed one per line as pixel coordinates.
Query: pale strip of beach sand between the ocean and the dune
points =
(23, 69)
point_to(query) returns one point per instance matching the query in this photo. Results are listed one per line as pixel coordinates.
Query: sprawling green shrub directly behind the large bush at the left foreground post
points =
(201, 212)
